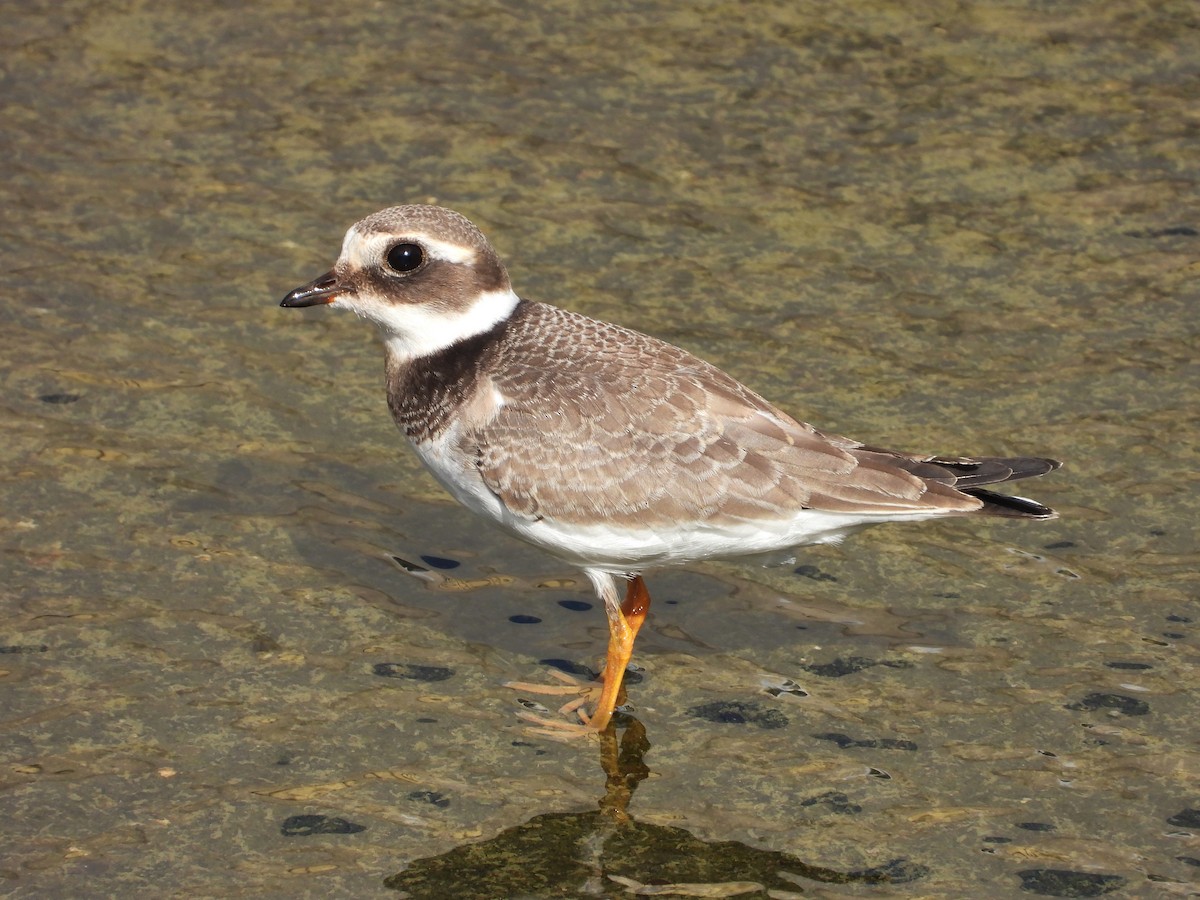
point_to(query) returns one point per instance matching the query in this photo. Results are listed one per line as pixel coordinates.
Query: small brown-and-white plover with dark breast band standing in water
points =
(608, 448)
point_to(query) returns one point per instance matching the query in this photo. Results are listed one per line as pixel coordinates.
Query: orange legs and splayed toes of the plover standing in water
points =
(625, 622)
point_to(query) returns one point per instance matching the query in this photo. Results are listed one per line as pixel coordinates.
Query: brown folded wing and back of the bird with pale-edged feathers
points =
(605, 424)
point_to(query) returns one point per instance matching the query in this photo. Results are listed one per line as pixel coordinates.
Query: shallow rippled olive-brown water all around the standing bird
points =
(958, 230)
